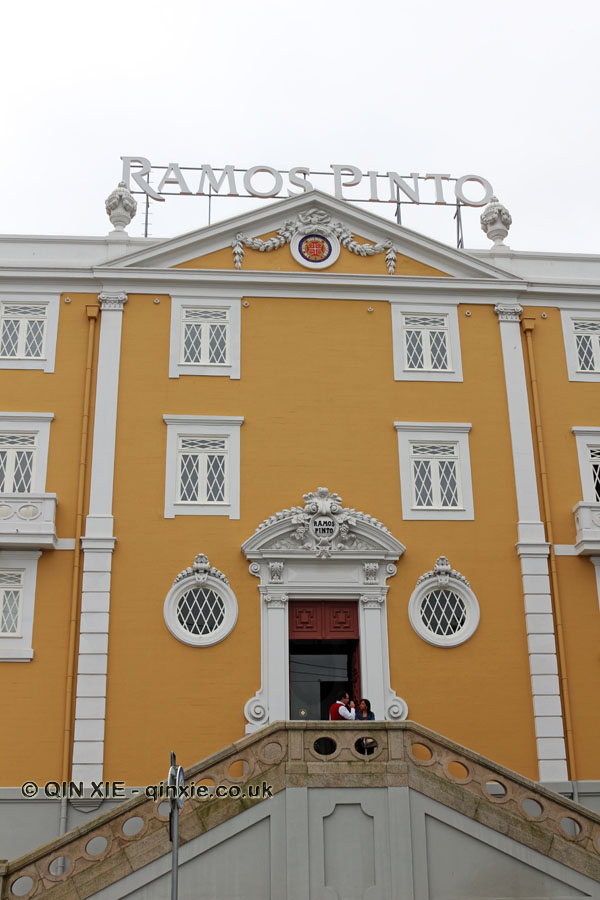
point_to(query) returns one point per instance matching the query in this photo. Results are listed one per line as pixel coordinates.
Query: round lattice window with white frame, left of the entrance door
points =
(200, 614)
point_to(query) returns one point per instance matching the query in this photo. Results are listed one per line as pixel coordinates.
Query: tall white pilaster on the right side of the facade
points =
(533, 552)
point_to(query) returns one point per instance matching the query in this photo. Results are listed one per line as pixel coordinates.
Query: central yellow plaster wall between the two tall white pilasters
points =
(319, 401)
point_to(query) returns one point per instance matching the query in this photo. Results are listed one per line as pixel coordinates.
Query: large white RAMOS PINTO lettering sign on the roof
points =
(266, 181)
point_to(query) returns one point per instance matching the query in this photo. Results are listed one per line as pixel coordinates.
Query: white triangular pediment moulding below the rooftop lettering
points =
(174, 251)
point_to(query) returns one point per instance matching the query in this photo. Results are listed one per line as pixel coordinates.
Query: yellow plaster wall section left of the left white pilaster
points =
(32, 695)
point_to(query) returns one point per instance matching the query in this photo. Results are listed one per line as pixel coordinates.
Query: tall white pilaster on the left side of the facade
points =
(98, 545)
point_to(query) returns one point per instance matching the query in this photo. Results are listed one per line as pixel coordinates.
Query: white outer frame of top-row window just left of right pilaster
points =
(419, 307)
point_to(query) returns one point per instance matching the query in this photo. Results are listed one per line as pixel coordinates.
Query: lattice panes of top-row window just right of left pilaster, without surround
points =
(205, 336)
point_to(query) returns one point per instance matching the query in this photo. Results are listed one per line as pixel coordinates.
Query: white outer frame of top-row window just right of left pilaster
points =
(178, 306)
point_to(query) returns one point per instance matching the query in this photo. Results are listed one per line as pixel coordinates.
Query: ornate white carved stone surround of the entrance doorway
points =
(324, 551)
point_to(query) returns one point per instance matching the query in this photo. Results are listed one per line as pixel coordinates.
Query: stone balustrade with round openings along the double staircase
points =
(315, 755)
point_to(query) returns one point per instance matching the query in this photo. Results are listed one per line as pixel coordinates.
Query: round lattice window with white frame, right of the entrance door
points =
(444, 614)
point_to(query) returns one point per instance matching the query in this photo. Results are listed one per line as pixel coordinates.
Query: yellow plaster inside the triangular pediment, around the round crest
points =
(282, 261)
